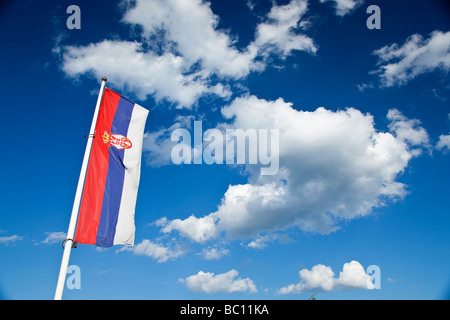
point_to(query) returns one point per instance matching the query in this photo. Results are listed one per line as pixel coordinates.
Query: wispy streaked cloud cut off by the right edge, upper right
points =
(400, 64)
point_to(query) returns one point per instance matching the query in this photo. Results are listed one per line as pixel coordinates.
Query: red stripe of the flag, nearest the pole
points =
(94, 187)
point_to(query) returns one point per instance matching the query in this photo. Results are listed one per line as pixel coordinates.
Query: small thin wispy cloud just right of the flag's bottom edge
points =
(154, 250)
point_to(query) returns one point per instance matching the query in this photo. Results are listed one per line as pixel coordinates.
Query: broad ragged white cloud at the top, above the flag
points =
(179, 49)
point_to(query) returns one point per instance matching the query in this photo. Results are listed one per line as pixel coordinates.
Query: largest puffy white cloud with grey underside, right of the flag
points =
(334, 166)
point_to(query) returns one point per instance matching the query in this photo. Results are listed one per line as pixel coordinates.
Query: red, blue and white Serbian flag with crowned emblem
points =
(106, 216)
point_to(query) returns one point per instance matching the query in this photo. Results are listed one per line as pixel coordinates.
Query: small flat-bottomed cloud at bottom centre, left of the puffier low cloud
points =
(226, 282)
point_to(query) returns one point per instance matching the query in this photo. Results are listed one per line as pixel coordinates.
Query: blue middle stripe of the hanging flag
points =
(115, 177)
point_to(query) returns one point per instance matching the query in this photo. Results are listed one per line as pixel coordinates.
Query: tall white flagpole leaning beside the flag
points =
(76, 203)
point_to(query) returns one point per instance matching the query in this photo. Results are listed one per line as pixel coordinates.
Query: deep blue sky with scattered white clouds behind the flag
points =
(364, 138)
